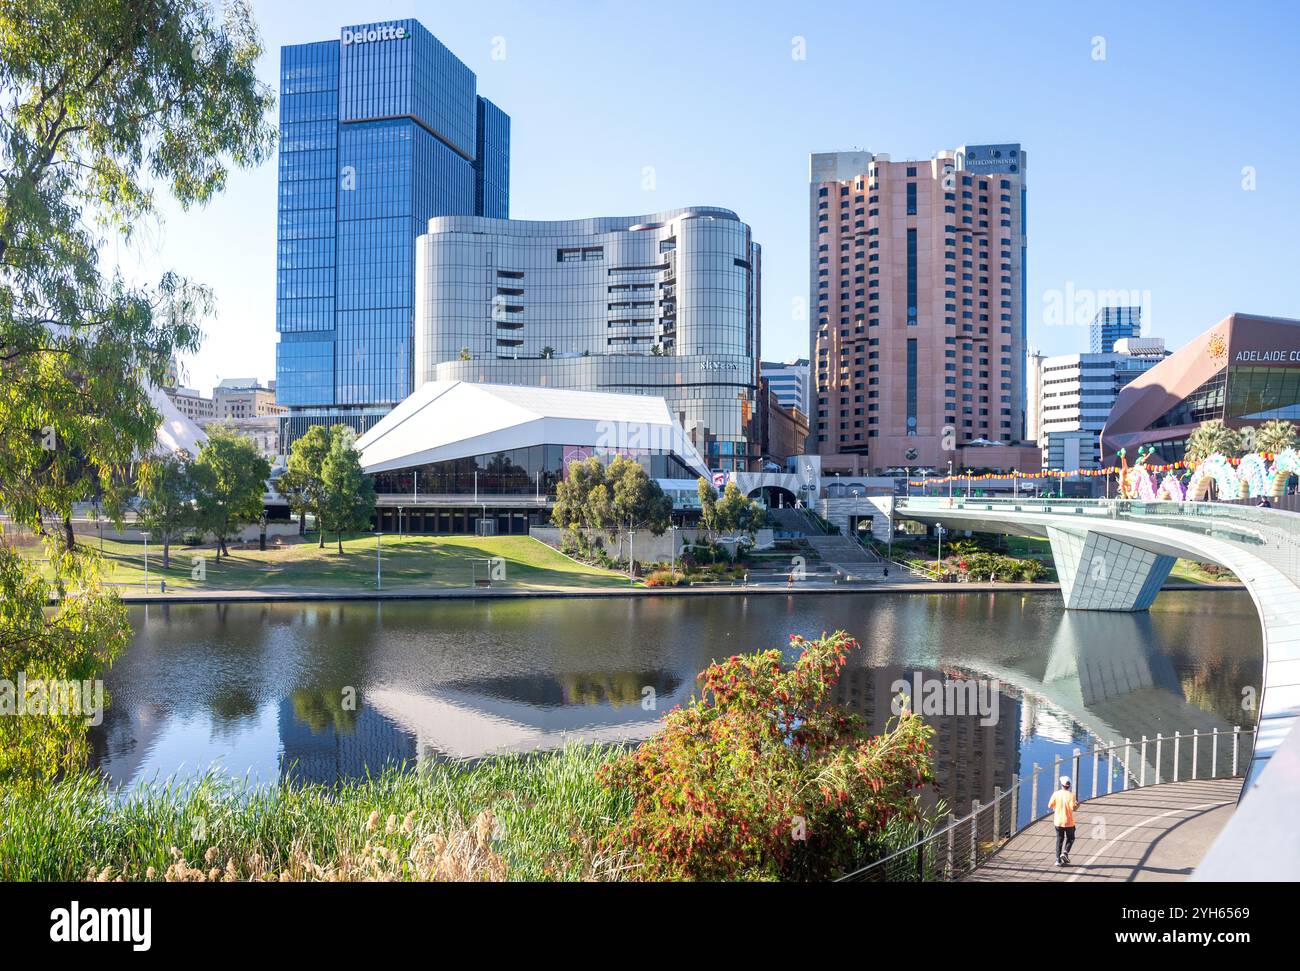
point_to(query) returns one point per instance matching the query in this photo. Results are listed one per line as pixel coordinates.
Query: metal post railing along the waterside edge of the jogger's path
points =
(964, 844)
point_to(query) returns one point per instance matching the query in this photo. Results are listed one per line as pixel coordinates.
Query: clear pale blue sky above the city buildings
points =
(1162, 141)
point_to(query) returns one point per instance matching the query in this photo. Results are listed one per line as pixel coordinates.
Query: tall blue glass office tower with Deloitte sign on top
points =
(380, 131)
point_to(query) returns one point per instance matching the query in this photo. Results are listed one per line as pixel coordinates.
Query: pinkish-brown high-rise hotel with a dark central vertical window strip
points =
(918, 332)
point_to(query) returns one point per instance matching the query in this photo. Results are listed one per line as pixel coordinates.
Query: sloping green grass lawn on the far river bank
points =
(409, 562)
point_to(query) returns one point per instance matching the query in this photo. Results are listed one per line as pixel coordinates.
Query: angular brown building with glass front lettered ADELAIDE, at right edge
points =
(1246, 371)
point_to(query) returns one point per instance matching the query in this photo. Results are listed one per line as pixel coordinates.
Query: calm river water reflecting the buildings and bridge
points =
(262, 690)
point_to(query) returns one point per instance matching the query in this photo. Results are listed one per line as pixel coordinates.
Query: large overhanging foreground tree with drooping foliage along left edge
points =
(105, 106)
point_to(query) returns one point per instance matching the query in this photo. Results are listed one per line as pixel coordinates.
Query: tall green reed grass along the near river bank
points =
(517, 818)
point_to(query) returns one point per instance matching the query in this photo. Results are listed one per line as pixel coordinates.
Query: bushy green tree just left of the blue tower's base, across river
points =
(229, 483)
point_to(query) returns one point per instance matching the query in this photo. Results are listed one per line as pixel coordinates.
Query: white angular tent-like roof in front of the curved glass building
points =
(447, 421)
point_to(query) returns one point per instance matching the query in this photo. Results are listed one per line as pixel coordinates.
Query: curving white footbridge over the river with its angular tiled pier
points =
(1115, 556)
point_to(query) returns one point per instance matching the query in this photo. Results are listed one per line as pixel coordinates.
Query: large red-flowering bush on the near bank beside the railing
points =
(764, 778)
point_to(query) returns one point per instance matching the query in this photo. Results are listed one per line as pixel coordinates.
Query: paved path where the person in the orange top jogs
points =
(1155, 834)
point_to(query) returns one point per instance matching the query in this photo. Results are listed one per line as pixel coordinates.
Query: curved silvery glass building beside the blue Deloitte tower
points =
(665, 305)
